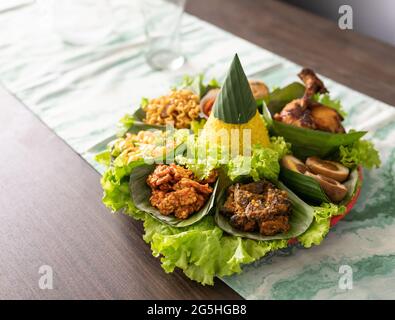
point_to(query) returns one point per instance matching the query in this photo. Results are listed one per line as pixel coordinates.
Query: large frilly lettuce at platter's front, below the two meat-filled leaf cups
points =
(202, 250)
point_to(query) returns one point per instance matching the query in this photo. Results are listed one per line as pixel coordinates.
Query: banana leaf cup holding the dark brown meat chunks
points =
(300, 219)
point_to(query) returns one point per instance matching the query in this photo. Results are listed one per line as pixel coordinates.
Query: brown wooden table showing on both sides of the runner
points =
(50, 198)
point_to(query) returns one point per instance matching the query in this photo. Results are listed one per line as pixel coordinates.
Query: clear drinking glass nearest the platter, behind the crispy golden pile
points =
(162, 19)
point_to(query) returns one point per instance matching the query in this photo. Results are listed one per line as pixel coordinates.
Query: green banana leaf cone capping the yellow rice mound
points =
(235, 102)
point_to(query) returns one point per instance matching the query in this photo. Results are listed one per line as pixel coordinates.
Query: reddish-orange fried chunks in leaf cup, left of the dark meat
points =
(174, 190)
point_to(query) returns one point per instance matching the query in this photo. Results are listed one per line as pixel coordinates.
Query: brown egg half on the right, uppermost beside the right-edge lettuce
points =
(327, 168)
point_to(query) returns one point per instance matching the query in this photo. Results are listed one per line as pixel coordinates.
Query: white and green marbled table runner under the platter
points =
(80, 92)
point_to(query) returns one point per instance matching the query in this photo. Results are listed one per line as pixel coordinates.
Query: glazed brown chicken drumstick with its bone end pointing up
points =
(306, 113)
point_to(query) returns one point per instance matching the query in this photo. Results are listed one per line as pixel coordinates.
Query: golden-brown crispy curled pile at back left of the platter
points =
(179, 108)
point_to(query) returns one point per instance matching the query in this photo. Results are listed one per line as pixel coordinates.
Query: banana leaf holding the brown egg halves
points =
(310, 190)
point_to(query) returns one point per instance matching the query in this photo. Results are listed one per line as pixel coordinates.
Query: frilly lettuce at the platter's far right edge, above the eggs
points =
(361, 152)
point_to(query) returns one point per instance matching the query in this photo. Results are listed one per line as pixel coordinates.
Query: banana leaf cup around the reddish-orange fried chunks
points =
(141, 192)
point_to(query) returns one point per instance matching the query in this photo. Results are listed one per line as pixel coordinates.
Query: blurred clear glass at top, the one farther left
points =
(82, 22)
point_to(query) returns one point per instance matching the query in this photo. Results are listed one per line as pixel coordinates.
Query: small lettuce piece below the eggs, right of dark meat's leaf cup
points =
(321, 224)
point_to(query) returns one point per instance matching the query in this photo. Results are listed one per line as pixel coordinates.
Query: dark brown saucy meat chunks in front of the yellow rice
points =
(258, 206)
